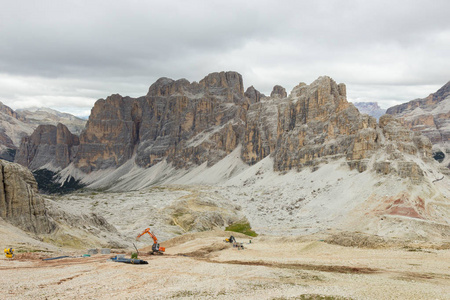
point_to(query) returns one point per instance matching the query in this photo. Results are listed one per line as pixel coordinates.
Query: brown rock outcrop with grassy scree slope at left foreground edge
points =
(32, 216)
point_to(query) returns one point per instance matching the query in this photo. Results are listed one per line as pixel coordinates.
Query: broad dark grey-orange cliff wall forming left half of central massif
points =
(182, 122)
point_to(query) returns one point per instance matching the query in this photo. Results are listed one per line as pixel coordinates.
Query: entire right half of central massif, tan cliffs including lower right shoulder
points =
(316, 124)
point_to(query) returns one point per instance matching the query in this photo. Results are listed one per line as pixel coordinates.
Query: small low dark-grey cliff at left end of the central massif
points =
(49, 145)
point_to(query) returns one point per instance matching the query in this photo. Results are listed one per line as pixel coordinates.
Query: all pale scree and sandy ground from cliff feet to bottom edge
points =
(322, 233)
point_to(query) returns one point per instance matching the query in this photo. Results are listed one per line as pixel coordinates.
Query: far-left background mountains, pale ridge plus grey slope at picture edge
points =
(15, 125)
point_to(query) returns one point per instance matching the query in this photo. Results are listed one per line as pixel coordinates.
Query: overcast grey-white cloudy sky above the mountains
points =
(67, 54)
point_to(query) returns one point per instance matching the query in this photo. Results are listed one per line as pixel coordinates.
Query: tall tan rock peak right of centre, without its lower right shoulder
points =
(317, 122)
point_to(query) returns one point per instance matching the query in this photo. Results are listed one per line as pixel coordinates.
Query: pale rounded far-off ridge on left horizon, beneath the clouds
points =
(48, 116)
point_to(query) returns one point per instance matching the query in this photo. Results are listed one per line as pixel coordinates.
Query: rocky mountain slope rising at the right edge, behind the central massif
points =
(431, 117)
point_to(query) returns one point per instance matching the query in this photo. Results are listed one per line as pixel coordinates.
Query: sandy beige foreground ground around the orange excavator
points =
(203, 266)
